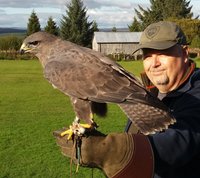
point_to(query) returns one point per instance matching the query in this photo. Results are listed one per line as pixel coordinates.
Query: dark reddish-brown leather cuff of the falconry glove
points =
(141, 164)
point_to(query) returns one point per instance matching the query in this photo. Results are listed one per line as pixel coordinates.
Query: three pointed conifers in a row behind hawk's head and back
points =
(74, 25)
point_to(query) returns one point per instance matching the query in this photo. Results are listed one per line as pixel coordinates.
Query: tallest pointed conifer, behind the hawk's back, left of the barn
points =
(75, 26)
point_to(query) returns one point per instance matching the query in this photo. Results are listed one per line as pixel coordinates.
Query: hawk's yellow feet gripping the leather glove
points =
(77, 129)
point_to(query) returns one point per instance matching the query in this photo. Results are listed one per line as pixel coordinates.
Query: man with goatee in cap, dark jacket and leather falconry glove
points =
(173, 153)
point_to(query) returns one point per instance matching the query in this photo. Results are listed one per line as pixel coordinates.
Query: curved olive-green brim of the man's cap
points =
(156, 45)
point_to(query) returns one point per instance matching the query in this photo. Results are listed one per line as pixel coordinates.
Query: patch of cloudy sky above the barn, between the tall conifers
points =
(112, 13)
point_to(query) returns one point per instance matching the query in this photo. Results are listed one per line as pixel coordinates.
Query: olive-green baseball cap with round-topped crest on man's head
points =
(161, 35)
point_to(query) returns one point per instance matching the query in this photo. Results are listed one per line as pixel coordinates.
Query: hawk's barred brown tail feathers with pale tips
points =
(147, 118)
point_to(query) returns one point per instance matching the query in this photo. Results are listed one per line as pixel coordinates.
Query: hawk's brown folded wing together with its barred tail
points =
(87, 75)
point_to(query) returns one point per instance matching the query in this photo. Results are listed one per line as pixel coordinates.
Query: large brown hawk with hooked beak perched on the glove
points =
(91, 79)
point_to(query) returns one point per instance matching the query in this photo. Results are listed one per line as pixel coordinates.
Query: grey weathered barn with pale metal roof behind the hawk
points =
(115, 42)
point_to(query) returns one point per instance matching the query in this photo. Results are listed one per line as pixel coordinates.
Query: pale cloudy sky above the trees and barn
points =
(107, 13)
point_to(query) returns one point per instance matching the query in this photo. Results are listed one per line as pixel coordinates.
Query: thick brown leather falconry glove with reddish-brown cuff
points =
(117, 154)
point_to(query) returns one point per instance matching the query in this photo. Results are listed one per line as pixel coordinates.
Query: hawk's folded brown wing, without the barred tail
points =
(84, 76)
